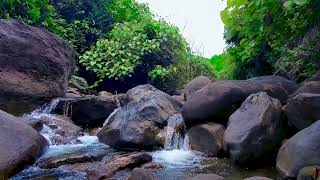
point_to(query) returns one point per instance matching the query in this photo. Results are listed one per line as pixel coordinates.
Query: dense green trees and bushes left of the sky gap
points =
(118, 43)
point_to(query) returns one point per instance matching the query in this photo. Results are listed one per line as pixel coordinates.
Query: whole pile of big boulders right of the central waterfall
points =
(258, 121)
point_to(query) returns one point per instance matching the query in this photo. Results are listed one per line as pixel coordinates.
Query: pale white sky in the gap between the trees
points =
(198, 20)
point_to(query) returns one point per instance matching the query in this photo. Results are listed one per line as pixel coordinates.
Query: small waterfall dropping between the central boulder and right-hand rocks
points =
(176, 137)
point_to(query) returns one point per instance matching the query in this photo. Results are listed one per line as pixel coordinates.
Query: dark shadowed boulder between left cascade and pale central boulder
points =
(90, 111)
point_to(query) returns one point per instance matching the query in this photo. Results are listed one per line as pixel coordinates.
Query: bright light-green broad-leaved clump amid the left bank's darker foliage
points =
(118, 56)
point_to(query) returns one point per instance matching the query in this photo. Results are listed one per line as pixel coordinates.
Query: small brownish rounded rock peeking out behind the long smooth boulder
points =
(195, 85)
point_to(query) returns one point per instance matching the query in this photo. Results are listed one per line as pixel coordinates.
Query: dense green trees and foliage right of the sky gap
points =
(270, 37)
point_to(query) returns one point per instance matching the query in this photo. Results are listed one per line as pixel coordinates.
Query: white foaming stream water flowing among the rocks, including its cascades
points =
(178, 161)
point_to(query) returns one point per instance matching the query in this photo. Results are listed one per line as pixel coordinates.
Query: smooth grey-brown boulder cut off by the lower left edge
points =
(20, 145)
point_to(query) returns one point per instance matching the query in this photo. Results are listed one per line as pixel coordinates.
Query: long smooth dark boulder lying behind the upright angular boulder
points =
(217, 101)
